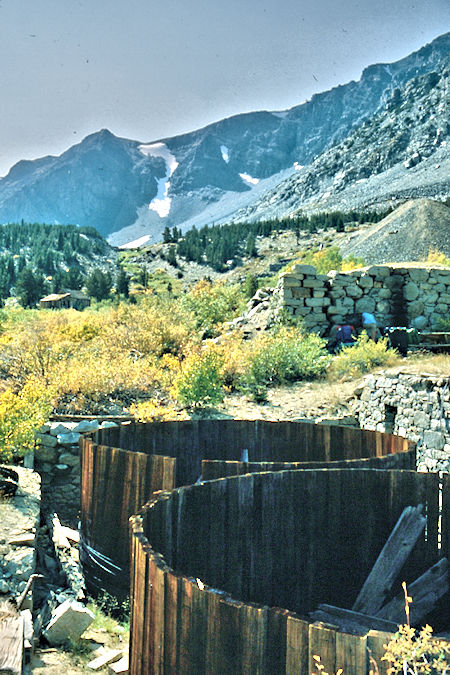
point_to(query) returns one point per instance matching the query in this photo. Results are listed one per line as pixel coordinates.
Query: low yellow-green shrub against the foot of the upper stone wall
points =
(362, 357)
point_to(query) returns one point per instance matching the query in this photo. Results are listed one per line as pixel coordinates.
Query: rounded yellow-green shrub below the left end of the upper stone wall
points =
(287, 355)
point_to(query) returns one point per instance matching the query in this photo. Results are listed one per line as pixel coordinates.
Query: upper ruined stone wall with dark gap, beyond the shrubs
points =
(411, 296)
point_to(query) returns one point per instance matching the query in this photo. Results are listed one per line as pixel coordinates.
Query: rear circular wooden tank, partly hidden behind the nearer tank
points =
(122, 467)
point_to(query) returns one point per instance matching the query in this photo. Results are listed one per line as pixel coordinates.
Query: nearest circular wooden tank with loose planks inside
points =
(225, 572)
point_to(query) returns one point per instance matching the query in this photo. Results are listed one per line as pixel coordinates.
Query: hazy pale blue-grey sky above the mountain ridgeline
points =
(147, 70)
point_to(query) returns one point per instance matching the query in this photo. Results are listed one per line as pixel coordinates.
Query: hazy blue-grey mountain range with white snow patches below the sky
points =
(127, 189)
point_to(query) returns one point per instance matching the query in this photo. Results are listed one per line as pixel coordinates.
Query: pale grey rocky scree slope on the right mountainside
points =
(401, 152)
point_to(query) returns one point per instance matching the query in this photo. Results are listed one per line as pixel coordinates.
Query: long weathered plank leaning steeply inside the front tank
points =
(390, 561)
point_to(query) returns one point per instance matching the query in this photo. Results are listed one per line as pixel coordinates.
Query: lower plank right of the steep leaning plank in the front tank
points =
(425, 592)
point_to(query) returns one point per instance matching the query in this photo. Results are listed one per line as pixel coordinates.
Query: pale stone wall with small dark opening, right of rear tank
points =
(414, 406)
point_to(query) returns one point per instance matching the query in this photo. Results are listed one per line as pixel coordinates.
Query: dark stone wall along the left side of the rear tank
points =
(57, 460)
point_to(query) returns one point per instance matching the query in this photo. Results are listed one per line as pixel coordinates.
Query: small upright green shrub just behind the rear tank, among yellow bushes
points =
(200, 381)
